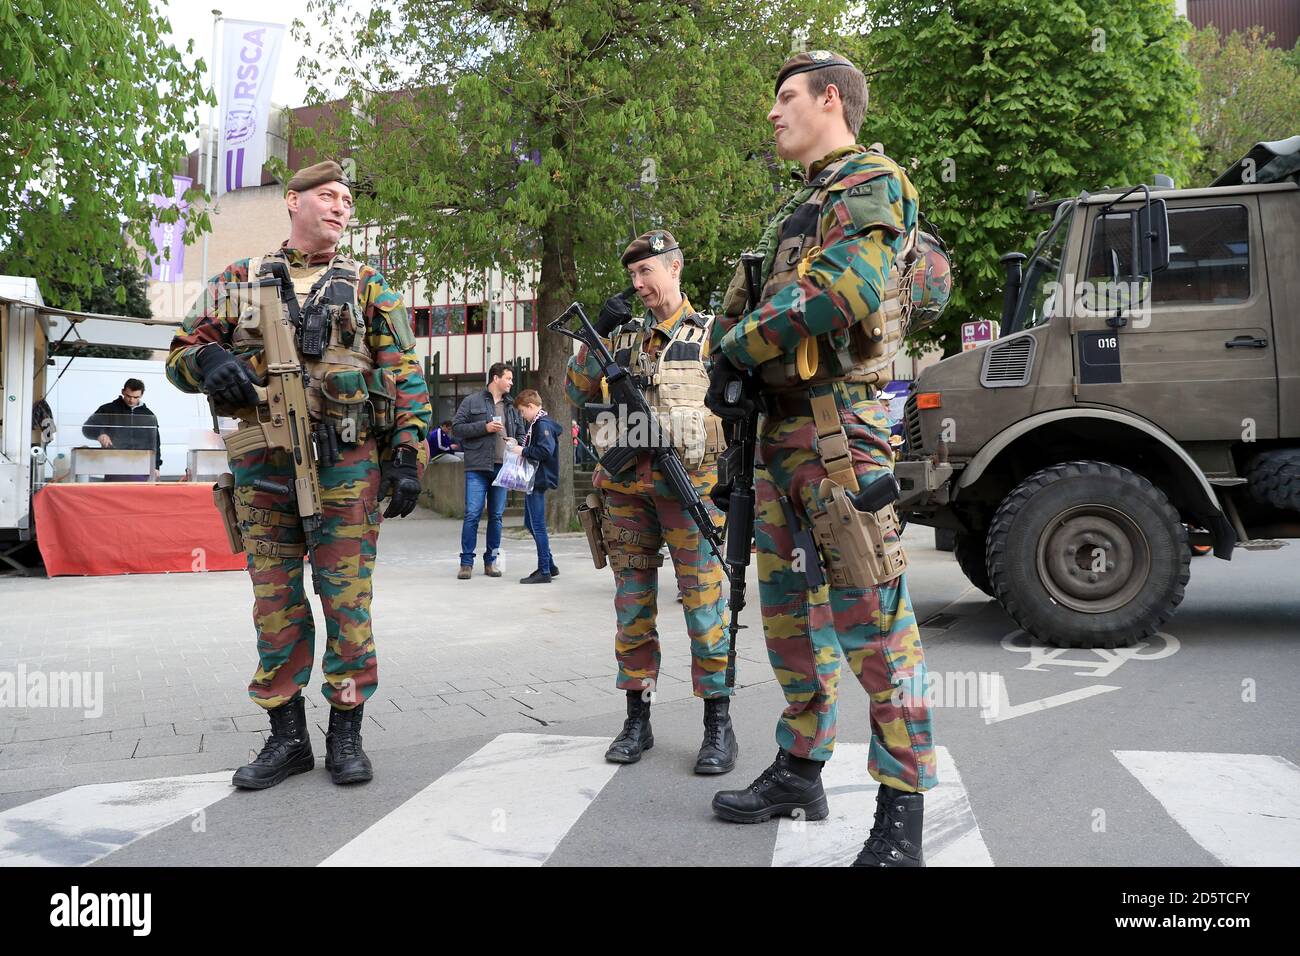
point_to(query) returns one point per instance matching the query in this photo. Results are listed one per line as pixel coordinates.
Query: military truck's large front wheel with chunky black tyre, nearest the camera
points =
(1087, 555)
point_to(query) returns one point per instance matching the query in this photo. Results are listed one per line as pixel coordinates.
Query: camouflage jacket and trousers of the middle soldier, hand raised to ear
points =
(642, 504)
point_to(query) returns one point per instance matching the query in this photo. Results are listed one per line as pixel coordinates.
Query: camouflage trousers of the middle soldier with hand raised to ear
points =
(700, 579)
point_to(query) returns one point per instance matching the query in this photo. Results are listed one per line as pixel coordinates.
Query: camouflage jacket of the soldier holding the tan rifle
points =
(211, 321)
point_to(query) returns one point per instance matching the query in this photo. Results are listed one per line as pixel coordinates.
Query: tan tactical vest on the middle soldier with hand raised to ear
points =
(674, 380)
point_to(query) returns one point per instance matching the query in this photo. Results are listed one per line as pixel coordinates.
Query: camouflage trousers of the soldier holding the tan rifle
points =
(345, 559)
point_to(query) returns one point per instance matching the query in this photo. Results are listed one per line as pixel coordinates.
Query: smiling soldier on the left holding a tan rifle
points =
(374, 362)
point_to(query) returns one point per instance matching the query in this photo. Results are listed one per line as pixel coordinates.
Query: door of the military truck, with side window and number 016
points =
(1198, 358)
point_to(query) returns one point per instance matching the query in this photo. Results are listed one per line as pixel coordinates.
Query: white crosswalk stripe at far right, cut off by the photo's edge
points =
(1242, 808)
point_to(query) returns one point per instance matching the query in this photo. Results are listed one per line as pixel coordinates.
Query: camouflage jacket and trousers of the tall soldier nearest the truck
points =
(809, 630)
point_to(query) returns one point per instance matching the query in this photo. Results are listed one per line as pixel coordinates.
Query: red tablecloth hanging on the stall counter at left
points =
(131, 527)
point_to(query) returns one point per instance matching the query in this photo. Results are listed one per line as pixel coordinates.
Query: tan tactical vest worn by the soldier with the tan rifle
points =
(344, 386)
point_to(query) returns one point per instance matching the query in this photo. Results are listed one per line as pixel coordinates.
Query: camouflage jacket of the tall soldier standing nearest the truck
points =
(860, 241)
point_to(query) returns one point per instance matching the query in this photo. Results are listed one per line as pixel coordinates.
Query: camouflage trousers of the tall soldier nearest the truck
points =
(808, 631)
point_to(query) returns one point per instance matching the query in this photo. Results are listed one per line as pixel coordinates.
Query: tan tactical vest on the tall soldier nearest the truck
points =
(865, 352)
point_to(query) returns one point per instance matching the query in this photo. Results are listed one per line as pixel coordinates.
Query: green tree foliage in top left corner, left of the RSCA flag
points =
(94, 107)
